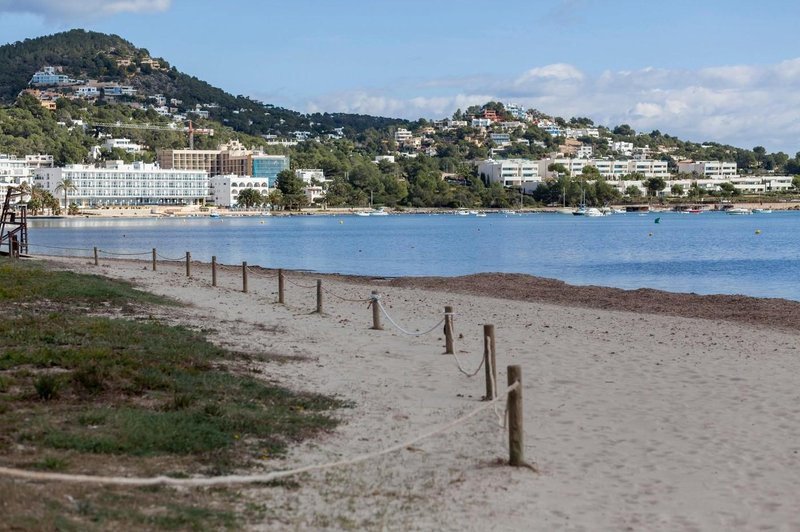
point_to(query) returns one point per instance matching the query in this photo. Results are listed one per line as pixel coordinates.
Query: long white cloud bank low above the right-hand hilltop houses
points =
(744, 105)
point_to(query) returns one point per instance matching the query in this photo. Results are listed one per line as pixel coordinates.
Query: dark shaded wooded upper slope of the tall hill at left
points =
(109, 58)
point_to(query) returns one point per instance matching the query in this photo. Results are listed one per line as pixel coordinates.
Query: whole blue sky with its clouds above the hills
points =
(704, 70)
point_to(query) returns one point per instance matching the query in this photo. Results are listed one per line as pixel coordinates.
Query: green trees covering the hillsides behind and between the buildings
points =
(436, 170)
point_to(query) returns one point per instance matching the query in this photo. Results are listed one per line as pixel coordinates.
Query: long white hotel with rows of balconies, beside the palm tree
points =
(126, 184)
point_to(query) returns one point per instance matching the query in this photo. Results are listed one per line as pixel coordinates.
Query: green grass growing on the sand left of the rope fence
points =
(139, 388)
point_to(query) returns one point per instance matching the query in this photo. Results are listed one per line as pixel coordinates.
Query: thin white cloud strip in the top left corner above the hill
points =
(72, 9)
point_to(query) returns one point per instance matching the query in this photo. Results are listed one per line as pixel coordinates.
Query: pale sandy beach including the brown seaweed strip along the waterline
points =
(643, 410)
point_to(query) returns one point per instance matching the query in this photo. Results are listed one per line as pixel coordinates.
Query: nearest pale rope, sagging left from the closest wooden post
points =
(245, 479)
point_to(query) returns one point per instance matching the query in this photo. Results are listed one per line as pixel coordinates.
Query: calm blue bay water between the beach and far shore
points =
(707, 253)
